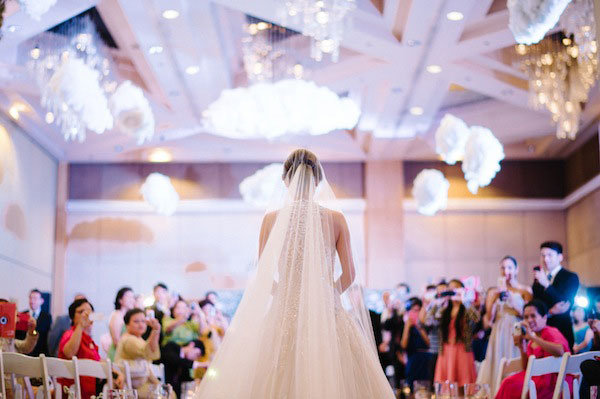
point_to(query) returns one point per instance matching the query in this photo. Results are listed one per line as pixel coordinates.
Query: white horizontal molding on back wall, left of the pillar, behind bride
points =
(213, 206)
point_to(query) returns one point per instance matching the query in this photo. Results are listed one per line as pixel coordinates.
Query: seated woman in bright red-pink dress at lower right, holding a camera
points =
(539, 340)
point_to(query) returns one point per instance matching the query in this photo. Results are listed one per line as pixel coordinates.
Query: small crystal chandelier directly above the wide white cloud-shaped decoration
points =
(267, 53)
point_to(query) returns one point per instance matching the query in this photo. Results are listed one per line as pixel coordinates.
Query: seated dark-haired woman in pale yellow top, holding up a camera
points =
(139, 353)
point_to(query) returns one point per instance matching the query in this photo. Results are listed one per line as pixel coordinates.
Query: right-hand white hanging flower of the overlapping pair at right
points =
(483, 154)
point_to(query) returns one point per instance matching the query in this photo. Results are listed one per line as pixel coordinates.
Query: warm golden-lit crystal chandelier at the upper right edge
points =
(563, 68)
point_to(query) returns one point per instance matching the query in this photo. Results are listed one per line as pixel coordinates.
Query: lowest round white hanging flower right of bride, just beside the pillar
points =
(430, 190)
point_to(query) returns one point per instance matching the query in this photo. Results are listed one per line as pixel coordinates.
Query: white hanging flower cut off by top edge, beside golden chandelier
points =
(530, 20)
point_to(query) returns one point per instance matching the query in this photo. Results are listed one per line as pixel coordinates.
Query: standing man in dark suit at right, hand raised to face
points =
(556, 287)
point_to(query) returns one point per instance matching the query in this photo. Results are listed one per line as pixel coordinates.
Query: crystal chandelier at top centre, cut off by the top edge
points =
(323, 21)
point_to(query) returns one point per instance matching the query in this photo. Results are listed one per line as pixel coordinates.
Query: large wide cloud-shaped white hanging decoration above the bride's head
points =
(290, 106)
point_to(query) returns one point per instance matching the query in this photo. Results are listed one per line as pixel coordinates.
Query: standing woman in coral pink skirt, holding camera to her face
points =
(455, 360)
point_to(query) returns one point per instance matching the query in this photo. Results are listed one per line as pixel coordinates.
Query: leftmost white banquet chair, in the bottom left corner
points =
(16, 364)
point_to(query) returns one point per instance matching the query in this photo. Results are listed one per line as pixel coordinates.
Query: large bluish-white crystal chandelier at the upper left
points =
(74, 78)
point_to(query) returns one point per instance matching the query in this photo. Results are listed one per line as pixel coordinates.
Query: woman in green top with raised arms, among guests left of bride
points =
(180, 328)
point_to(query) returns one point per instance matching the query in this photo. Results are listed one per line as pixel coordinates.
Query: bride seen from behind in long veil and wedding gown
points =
(301, 330)
